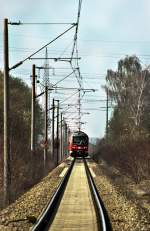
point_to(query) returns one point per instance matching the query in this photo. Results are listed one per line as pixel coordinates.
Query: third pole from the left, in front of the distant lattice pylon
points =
(46, 127)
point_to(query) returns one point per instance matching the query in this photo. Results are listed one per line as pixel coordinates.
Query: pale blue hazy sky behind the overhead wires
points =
(108, 31)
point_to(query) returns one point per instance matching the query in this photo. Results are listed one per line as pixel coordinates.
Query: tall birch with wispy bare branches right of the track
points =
(127, 88)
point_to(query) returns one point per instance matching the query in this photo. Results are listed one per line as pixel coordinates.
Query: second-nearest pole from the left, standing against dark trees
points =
(33, 112)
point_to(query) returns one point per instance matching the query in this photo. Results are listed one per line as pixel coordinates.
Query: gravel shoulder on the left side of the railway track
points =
(18, 216)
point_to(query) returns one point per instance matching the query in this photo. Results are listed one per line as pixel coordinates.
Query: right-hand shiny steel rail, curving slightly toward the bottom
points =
(102, 216)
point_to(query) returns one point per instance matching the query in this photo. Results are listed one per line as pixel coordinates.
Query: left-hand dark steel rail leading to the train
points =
(47, 216)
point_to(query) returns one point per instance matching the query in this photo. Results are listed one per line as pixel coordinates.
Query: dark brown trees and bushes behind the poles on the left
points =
(21, 164)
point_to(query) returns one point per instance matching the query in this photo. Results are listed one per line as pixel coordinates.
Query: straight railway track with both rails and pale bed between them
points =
(76, 205)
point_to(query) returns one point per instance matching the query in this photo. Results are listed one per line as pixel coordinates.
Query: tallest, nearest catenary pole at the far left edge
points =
(7, 172)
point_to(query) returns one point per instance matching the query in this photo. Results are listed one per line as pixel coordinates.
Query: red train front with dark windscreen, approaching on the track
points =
(78, 146)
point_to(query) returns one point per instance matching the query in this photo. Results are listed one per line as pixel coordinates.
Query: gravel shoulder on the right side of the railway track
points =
(126, 214)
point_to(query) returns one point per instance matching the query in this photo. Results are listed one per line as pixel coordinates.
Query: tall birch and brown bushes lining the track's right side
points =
(127, 142)
